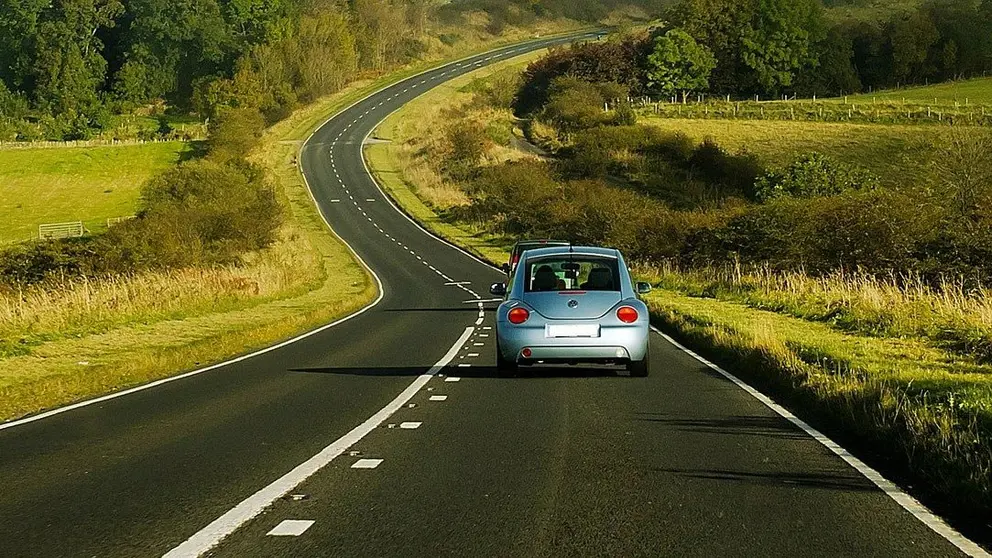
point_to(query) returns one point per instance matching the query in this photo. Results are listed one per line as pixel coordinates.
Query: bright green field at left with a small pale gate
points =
(88, 184)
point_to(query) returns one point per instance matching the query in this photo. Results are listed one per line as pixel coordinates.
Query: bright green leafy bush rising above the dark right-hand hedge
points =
(813, 175)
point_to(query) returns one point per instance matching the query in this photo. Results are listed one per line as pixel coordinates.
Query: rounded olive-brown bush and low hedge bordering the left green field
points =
(199, 213)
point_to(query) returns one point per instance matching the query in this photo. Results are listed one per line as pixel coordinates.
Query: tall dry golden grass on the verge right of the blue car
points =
(948, 315)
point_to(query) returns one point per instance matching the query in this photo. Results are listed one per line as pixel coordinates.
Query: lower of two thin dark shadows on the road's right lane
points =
(827, 481)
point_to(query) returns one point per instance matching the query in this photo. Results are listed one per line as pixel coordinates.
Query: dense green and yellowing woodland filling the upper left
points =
(67, 67)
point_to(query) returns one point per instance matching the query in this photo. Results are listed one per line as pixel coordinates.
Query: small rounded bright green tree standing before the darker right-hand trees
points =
(679, 64)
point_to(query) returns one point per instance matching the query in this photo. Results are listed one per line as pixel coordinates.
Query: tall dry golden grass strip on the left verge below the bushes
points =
(77, 306)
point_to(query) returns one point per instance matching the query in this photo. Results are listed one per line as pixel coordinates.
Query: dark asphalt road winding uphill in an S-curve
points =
(567, 462)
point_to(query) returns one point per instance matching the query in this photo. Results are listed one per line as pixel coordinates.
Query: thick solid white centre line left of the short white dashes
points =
(216, 531)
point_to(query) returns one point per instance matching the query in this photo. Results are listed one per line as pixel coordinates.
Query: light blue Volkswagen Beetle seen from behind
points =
(574, 305)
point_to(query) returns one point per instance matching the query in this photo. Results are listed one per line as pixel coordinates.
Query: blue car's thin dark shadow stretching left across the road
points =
(524, 373)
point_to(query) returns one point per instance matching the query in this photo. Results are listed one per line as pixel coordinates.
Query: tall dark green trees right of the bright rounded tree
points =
(772, 46)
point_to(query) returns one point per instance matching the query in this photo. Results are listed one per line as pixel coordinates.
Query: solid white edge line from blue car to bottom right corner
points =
(910, 504)
